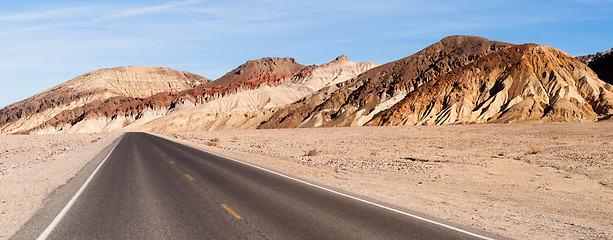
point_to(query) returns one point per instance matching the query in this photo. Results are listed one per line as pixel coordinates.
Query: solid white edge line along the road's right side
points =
(354, 198)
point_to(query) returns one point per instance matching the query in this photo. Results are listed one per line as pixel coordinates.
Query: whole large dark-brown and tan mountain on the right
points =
(460, 79)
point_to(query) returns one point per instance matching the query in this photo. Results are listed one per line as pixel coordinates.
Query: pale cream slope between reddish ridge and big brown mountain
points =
(249, 108)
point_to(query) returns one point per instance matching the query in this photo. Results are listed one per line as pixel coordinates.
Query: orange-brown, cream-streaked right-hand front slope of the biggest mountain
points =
(522, 83)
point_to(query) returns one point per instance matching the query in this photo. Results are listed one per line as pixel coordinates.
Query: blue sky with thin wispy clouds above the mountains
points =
(45, 43)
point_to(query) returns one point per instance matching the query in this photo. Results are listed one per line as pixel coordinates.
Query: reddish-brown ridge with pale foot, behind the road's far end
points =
(118, 112)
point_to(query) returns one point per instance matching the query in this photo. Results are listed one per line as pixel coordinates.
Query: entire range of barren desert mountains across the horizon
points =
(458, 80)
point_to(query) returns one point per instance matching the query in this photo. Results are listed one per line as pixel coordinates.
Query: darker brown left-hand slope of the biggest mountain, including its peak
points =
(358, 100)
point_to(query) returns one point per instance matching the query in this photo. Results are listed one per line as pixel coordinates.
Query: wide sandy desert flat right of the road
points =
(524, 181)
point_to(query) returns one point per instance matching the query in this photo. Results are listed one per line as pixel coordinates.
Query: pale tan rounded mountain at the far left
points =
(89, 91)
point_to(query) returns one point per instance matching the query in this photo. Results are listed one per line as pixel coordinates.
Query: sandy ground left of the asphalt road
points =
(32, 167)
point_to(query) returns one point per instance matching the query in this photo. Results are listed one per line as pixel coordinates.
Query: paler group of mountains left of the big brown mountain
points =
(134, 98)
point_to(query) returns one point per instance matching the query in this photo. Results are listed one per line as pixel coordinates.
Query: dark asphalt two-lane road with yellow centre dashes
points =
(152, 188)
